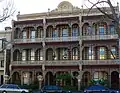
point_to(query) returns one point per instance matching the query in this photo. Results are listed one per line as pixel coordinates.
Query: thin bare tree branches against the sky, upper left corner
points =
(6, 10)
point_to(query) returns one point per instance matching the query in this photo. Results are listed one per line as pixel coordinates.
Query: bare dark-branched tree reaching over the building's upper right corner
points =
(114, 17)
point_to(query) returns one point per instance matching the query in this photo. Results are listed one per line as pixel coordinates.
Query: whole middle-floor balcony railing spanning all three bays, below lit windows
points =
(66, 62)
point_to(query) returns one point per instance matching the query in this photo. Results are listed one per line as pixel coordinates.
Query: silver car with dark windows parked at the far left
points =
(12, 88)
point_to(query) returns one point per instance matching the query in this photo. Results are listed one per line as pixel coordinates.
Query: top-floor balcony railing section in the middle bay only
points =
(61, 39)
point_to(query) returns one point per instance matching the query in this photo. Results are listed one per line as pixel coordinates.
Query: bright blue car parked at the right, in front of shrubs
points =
(99, 89)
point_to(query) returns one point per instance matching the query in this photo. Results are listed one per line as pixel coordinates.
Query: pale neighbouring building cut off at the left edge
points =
(4, 55)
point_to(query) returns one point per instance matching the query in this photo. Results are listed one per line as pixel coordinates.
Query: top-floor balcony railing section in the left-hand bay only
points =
(35, 40)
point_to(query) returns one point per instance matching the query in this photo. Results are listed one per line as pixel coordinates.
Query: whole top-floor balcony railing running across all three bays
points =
(63, 39)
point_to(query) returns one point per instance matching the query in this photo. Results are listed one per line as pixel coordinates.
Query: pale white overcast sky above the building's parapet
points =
(38, 6)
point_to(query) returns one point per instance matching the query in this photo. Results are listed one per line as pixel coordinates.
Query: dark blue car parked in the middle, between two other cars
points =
(53, 89)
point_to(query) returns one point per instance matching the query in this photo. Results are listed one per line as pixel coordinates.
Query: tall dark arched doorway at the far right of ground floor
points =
(115, 80)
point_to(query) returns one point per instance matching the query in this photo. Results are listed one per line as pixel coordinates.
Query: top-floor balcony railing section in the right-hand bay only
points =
(99, 37)
